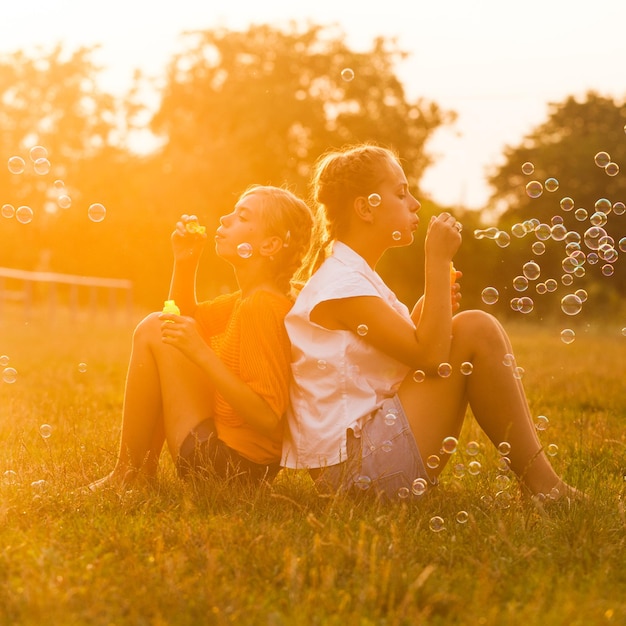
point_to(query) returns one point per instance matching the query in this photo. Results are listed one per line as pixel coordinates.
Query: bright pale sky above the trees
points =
(497, 64)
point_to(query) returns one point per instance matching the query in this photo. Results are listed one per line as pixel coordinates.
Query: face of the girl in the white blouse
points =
(396, 215)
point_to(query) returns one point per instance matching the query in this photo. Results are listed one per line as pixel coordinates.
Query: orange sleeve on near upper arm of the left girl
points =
(265, 349)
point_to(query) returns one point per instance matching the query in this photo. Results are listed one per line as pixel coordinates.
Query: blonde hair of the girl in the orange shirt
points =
(290, 218)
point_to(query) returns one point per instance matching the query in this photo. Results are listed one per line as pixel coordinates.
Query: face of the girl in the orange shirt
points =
(242, 232)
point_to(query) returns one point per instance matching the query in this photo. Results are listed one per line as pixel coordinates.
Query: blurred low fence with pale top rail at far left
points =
(64, 291)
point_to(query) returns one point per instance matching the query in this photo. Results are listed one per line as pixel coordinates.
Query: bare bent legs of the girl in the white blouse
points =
(436, 407)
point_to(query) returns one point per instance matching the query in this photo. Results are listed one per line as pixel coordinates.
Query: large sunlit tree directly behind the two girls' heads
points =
(260, 106)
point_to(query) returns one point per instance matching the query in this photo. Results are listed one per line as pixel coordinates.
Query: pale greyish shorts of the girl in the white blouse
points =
(383, 459)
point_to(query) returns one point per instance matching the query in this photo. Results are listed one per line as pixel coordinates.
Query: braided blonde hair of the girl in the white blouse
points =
(339, 177)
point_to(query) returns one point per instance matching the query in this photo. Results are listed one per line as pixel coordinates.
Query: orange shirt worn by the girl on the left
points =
(249, 336)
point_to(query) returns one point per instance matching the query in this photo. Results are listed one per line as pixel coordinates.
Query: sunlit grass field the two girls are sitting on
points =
(286, 556)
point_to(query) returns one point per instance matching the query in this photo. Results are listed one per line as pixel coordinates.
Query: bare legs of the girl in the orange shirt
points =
(166, 395)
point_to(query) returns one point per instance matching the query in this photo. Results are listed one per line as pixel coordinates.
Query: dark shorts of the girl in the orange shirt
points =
(202, 455)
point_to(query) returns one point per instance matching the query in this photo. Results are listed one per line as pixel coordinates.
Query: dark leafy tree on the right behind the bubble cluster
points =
(564, 149)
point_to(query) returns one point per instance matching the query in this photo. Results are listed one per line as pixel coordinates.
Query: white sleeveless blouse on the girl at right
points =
(338, 379)
